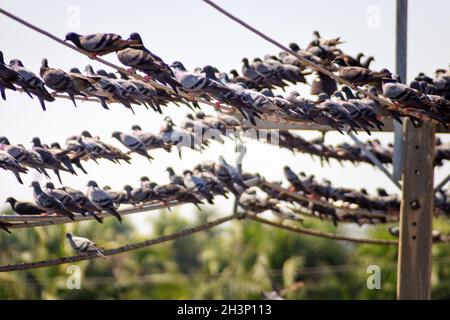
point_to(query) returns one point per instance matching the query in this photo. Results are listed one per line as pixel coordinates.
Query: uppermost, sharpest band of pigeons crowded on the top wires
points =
(250, 93)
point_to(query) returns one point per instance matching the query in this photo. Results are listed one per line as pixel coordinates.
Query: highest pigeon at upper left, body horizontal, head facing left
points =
(99, 44)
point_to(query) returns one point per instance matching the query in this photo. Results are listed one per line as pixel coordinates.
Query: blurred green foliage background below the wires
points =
(238, 260)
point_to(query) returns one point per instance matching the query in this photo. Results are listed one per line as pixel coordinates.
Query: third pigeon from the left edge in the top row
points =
(59, 81)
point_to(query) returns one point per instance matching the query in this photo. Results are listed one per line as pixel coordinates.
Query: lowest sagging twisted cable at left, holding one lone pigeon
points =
(109, 252)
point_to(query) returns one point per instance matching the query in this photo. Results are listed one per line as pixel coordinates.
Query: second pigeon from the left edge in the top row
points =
(33, 83)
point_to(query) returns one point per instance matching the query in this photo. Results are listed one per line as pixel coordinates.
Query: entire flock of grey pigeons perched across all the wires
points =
(251, 94)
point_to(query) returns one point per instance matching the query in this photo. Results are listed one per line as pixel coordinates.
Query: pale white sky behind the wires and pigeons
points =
(196, 34)
